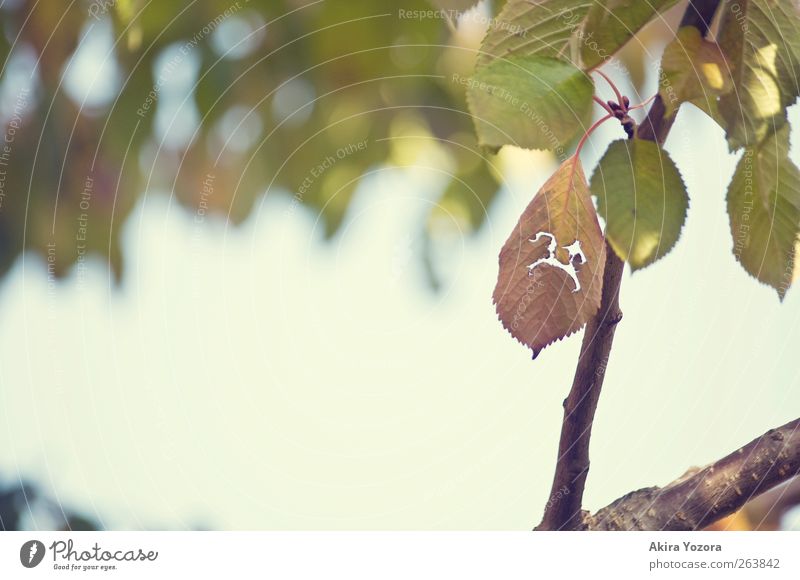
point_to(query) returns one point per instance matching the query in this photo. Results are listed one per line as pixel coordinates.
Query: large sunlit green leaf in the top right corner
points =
(761, 43)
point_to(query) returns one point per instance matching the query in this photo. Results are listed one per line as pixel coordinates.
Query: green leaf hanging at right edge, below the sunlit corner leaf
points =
(764, 211)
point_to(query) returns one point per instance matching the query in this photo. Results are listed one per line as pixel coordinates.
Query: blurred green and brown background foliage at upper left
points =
(218, 102)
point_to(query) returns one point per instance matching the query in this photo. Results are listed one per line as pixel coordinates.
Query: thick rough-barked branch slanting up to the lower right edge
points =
(704, 496)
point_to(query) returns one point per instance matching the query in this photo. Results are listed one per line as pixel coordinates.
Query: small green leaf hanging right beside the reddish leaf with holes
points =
(641, 196)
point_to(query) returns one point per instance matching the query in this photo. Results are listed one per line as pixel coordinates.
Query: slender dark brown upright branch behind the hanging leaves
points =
(563, 510)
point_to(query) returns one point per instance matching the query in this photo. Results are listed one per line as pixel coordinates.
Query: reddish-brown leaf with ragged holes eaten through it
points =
(551, 267)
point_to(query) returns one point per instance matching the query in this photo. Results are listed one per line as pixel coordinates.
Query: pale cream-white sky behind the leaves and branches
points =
(257, 378)
